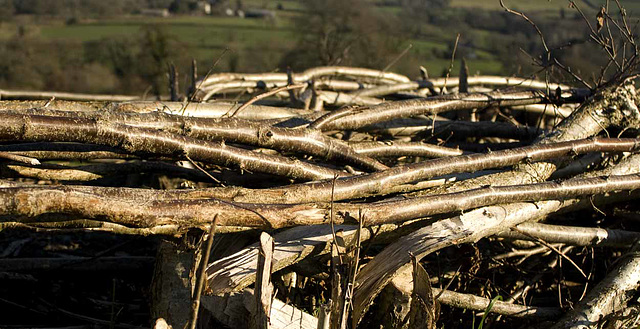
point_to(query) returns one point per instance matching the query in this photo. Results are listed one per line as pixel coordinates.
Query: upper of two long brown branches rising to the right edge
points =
(378, 183)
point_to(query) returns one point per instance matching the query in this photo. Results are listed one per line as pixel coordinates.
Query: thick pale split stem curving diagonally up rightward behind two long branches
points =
(588, 120)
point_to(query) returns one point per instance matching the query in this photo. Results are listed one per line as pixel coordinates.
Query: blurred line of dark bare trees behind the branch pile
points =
(328, 33)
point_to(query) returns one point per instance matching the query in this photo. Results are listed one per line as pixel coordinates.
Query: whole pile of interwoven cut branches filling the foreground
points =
(340, 197)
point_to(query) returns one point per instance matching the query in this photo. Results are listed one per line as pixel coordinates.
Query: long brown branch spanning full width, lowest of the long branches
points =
(30, 203)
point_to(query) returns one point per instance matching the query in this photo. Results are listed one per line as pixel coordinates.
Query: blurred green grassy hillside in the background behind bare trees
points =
(259, 45)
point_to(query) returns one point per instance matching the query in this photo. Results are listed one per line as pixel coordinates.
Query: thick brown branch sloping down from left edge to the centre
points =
(34, 128)
